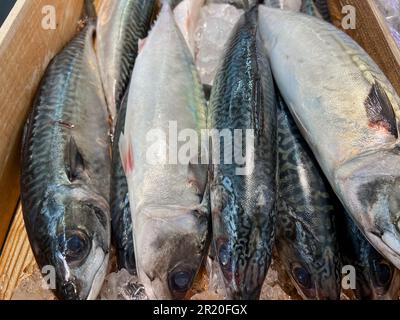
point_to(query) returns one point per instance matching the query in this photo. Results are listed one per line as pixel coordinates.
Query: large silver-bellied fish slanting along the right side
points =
(348, 112)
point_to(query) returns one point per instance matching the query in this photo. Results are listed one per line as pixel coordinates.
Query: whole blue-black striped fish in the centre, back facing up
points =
(243, 206)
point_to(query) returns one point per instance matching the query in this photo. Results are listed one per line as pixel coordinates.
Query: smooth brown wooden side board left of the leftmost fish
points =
(25, 50)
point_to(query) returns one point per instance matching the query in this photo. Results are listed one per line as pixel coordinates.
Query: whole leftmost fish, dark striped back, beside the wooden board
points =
(66, 171)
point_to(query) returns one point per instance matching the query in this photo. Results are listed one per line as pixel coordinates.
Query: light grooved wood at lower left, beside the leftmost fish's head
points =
(17, 261)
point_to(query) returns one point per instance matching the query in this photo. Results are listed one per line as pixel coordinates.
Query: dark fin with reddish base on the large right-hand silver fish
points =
(380, 110)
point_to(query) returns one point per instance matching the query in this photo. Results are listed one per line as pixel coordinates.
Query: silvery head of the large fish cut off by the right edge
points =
(370, 190)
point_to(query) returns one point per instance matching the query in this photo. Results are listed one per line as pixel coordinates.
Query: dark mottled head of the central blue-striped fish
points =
(243, 254)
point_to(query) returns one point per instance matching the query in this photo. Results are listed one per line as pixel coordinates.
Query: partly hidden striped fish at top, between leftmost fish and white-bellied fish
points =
(120, 26)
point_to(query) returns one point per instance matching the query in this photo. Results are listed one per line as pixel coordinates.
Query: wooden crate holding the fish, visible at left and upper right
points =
(26, 49)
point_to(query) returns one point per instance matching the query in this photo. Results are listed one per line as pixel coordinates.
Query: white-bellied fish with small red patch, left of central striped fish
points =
(168, 197)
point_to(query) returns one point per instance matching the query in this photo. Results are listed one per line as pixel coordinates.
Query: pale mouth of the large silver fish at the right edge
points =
(387, 244)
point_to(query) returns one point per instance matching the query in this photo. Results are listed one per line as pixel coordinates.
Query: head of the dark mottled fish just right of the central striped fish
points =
(311, 261)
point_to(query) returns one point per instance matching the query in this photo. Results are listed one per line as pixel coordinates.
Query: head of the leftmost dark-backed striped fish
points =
(81, 243)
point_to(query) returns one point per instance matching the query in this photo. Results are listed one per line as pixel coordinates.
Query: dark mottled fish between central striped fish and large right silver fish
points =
(306, 240)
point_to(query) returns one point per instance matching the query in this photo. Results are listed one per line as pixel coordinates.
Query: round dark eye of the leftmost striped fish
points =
(74, 245)
